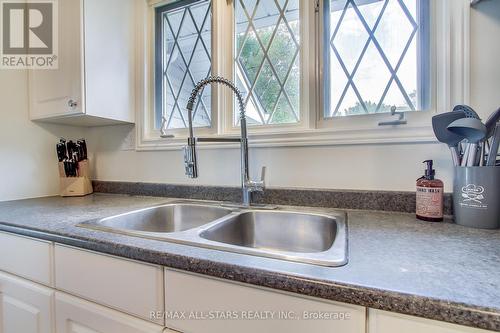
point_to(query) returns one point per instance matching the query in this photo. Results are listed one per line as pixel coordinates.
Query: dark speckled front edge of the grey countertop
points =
(403, 303)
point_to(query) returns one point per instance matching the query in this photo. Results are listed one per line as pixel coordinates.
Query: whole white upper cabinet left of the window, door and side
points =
(95, 81)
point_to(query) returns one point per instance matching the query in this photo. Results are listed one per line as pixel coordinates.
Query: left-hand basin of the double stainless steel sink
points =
(168, 218)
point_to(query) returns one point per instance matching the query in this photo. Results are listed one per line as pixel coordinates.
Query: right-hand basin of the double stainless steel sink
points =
(276, 231)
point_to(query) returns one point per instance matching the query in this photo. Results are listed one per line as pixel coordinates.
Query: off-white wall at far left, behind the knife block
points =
(28, 163)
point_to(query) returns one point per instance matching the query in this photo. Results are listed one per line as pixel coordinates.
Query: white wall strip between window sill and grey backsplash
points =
(387, 167)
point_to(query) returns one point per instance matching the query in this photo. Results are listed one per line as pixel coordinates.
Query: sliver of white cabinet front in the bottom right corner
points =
(390, 322)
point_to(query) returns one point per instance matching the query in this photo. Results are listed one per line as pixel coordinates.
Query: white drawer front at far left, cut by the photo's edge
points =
(26, 257)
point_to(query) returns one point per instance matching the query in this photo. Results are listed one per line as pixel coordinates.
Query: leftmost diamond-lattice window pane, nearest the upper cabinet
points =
(185, 45)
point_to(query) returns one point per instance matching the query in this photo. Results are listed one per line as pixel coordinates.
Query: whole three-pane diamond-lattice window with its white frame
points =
(311, 71)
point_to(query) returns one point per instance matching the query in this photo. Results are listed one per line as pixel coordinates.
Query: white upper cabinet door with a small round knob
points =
(58, 92)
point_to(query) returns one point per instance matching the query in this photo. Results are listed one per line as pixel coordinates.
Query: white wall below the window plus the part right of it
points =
(366, 167)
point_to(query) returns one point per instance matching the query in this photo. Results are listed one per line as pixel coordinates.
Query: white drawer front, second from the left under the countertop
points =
(129, 286)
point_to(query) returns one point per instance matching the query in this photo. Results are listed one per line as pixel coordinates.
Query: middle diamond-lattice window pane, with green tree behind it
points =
(267, 64)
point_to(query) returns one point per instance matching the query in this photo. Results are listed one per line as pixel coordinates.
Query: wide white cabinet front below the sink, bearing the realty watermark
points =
(199, 304)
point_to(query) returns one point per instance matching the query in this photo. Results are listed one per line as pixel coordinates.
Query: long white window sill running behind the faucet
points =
(317, 137)
